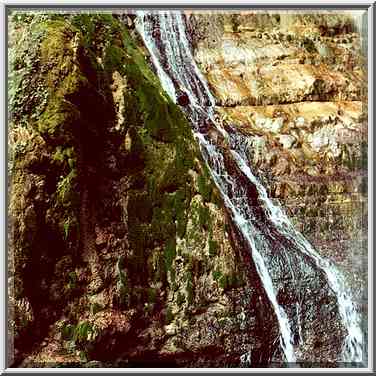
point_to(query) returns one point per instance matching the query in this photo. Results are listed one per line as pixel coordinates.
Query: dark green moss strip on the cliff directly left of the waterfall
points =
(161, 147)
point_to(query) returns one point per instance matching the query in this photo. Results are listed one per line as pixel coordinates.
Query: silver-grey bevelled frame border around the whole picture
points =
(369, 7)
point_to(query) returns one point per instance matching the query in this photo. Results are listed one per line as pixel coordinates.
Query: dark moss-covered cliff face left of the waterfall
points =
(120, 249)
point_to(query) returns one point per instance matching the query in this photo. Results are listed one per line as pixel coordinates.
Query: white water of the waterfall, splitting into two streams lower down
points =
(164, 34)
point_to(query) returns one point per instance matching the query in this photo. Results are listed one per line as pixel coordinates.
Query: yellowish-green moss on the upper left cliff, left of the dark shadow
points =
(47, 111)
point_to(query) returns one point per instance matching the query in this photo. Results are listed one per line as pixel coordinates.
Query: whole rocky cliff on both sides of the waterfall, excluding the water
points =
(121, 250)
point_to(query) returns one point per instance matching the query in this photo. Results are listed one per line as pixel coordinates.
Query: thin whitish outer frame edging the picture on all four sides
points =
(368, 5)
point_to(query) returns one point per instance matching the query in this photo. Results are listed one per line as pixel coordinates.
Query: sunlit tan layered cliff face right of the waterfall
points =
(295, 85)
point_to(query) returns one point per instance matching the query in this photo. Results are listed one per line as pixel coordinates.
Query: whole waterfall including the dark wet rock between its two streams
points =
(287, 264)
